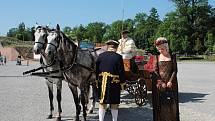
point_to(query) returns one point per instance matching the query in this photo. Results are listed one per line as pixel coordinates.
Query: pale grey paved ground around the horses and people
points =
(26, 98)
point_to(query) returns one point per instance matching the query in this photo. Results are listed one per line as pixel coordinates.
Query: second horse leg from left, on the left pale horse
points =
(59, 89)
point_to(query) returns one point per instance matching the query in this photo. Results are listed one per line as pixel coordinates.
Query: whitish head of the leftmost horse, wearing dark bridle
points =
(40, 37)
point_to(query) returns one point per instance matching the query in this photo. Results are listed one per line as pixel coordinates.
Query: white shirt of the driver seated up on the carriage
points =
(126, 48)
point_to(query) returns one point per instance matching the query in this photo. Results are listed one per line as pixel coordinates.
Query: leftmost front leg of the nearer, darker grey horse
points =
(76, 100)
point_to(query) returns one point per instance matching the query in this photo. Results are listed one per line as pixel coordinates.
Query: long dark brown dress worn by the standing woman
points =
(165, 101)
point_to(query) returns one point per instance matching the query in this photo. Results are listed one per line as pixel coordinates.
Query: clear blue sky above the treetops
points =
(75, 12)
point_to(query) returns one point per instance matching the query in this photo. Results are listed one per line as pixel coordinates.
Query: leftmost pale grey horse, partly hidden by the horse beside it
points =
(40, 43)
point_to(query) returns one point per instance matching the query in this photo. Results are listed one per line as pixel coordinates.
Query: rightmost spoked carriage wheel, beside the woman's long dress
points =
(141, 92)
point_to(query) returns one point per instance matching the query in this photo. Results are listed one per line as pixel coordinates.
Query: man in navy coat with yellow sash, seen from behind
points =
(110, 75)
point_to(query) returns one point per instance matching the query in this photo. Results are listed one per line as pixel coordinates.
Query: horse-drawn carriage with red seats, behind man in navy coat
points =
(139, 81)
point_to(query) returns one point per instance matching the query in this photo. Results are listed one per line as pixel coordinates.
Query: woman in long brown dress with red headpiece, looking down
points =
(165, 85)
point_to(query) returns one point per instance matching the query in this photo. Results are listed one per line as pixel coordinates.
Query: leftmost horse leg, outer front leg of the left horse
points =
(50, 89)
